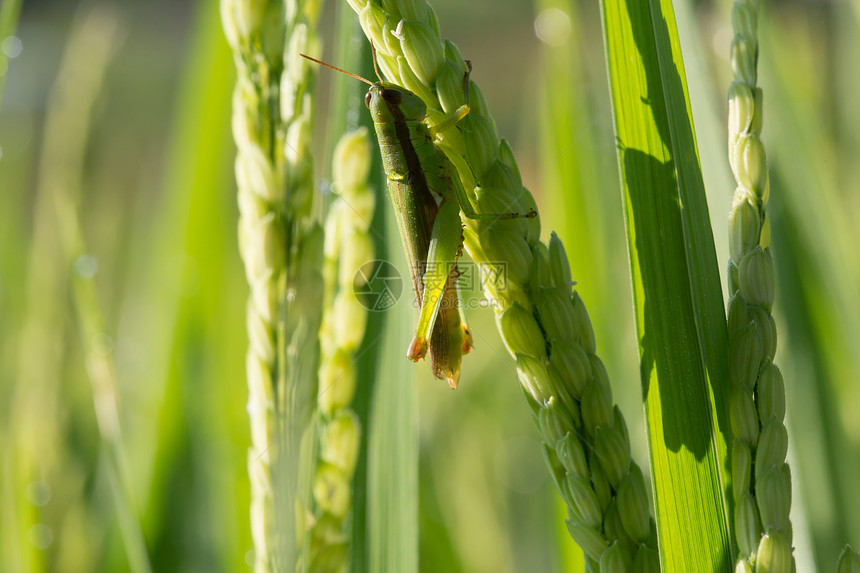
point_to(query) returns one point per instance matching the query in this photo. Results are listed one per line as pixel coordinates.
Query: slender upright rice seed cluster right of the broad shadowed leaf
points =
(761, 479)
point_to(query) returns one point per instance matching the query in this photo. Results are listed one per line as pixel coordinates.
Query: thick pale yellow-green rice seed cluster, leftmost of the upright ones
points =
(281, 246)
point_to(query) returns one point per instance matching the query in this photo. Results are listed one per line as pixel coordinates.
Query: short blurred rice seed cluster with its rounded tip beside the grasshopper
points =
(348, 246)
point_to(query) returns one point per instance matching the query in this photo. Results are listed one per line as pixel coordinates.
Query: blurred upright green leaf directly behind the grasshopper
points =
(385, 486)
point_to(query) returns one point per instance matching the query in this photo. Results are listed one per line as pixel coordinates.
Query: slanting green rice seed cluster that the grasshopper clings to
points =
(544, 323)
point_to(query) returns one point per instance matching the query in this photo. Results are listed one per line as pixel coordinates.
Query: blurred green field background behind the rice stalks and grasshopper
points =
(120, 281)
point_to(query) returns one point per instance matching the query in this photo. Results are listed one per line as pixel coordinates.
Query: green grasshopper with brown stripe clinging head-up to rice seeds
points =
(428, 198)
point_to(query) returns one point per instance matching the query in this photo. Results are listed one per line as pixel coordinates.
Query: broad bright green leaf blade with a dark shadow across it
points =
(679, 309)
